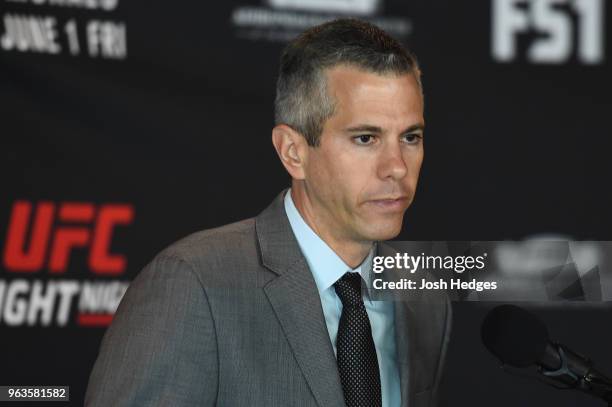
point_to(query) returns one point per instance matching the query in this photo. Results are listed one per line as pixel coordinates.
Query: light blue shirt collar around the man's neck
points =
(326, 266)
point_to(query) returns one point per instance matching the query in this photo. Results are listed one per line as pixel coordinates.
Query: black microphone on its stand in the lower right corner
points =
(519, 339)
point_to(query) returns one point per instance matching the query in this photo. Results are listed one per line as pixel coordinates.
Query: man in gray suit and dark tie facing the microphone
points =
(269, 311)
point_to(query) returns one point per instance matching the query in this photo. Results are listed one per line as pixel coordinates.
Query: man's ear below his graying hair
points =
(291, 148)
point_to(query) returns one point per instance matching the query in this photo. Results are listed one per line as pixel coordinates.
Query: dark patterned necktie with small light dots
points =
(356, 354)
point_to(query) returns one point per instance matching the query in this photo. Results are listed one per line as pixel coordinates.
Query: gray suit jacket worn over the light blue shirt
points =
(232, 317)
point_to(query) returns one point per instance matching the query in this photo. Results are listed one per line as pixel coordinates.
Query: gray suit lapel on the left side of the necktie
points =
(294, 297)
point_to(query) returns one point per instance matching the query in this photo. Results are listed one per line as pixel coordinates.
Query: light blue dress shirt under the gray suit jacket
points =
(327, 267)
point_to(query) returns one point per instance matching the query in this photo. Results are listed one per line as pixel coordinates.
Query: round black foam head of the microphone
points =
(516, 337)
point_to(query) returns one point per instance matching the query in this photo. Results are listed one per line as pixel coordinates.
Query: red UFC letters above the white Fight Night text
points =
(82, 225)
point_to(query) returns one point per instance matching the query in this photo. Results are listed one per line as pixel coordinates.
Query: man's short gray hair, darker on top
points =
(302, 101)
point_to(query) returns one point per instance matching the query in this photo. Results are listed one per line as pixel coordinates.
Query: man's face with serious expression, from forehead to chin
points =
(363, 175)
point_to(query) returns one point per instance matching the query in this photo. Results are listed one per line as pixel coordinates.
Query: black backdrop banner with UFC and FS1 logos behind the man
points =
(127, 125)
